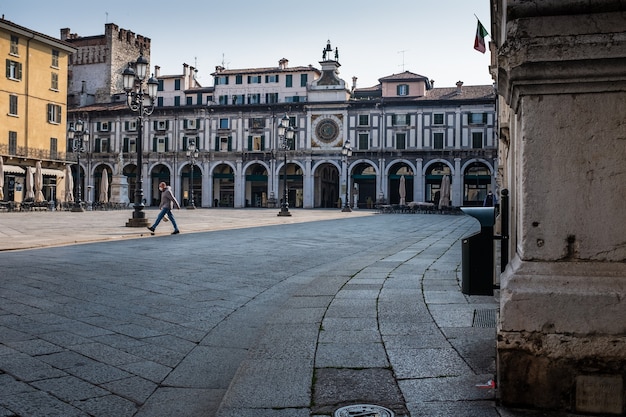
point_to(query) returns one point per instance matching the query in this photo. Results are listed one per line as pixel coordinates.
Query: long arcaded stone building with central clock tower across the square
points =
(401, 127)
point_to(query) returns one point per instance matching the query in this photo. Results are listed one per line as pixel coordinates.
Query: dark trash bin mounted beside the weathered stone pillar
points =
(477, 262)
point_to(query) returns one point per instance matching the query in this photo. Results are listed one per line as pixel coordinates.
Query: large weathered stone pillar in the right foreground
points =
(560, 66)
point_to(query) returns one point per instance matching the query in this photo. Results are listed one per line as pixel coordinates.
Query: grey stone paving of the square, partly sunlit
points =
(397, 333)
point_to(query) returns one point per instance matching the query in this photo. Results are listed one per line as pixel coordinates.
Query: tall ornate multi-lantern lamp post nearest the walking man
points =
(141, 102)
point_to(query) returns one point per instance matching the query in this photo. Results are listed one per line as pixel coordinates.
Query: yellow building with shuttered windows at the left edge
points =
(33, 105)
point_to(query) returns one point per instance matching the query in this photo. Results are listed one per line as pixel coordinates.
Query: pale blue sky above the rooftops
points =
(375, 38)
